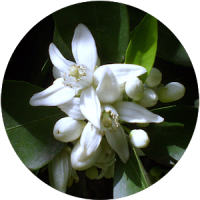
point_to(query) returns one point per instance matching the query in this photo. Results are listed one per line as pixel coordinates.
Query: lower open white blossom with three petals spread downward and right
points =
(91, 137)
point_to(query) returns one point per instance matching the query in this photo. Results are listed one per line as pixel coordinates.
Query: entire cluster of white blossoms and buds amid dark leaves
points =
(97, 100)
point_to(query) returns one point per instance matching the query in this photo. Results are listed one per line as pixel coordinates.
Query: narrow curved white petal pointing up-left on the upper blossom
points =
(58, 60)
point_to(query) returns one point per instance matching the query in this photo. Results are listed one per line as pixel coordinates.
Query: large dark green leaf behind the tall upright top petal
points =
(108, 21)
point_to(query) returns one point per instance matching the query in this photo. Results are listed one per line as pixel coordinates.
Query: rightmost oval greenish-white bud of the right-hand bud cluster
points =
(171, 92)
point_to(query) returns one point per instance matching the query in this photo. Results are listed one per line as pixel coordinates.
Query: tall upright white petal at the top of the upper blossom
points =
(84, 47)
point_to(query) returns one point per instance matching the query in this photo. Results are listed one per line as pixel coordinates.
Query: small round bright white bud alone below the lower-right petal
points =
(139, 138)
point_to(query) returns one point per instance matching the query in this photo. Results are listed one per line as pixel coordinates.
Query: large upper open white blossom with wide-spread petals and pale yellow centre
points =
(81, 77)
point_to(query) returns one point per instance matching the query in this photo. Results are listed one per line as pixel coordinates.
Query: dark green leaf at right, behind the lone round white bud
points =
(170, 139)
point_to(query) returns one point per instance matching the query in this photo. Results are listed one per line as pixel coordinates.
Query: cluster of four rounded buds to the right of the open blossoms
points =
(148, 94)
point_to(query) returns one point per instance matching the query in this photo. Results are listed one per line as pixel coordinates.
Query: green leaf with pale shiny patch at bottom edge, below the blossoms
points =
(130, 178)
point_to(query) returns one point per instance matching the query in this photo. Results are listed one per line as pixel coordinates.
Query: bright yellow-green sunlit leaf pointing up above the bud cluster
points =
(143, 44)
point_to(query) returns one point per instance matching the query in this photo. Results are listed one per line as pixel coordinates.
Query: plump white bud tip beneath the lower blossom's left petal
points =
(81, 160)
